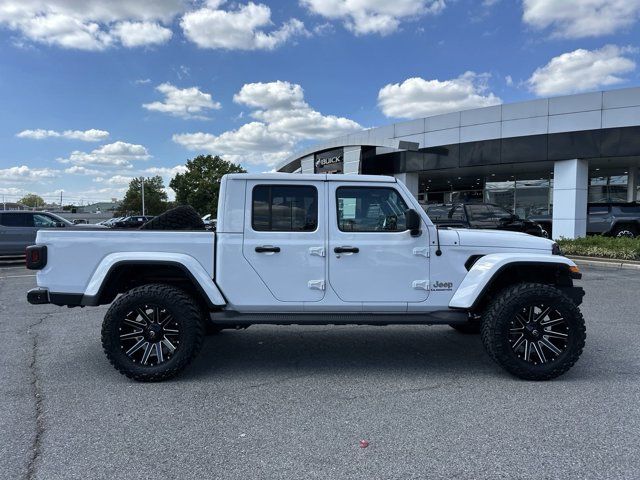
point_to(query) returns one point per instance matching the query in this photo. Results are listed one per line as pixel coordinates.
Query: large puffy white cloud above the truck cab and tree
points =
(282, 120)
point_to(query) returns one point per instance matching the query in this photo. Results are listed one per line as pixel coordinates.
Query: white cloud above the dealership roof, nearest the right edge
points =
(582, 70)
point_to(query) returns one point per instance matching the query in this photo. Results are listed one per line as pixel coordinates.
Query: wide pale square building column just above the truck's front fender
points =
(570, 192)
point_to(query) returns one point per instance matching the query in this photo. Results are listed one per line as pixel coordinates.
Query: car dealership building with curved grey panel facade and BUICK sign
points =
(540, 157)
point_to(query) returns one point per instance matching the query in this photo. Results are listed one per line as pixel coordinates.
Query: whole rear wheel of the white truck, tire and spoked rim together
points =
(152, 332)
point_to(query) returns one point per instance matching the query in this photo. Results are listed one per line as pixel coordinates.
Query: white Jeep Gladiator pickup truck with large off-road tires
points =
(308, 250)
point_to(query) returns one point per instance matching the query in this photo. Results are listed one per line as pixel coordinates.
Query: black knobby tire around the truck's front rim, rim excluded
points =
(502, 310)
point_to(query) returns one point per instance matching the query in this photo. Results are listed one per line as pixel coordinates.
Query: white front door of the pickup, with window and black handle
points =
(372, 257)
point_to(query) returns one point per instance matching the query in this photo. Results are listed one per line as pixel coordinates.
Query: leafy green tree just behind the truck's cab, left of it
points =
(199, 186)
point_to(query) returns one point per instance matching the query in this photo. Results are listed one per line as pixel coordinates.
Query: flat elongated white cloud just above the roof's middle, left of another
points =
(417, 97)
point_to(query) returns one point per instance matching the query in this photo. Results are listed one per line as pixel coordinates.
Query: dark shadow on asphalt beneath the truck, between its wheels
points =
(266, 350)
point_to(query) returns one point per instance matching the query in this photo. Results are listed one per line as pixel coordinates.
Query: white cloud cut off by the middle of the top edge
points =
(373, 16)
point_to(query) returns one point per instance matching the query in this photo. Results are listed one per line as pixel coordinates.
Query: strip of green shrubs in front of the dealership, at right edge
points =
(606, 247)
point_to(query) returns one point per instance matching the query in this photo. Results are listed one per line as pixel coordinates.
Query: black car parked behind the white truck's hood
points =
(480, 215)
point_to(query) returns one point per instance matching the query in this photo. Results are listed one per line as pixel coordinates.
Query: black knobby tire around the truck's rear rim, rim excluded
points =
(184, 310)
